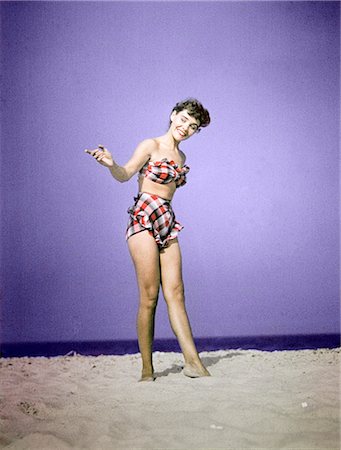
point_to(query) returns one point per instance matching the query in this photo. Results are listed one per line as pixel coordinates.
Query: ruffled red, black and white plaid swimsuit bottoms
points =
(155, 214)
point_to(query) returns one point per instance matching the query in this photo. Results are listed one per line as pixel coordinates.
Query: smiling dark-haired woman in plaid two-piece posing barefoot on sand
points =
(152, 230)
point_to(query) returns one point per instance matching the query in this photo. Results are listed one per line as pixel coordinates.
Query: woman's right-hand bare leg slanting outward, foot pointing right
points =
(173, 291)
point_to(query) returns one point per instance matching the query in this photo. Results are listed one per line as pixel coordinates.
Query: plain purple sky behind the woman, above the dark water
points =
(260, 244)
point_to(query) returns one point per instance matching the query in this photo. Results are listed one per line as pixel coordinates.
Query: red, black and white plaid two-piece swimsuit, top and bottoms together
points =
(151, 212)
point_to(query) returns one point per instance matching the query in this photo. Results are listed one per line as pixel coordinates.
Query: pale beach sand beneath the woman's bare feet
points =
(254, 400)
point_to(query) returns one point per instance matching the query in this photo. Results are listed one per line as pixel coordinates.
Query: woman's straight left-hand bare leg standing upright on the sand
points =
(145, 255)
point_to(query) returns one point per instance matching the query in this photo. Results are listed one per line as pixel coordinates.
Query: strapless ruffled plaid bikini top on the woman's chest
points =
(164, 172)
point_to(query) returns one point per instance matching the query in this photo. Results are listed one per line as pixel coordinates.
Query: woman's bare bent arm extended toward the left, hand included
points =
(124, 173)
